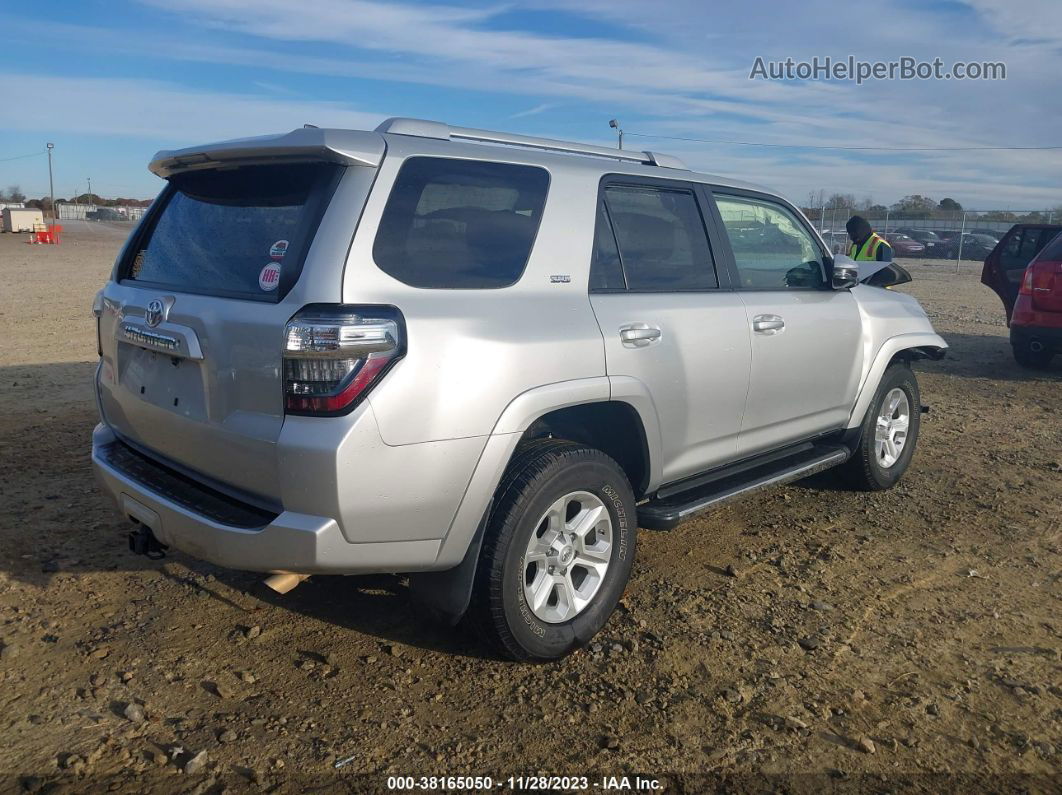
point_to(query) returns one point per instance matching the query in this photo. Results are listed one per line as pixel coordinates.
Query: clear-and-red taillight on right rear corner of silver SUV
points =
(335, 354)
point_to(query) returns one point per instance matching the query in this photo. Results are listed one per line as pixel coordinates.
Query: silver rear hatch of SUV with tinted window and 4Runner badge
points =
(192, 324)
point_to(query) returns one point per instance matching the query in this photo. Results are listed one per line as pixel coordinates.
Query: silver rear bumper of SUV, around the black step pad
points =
(197, 523)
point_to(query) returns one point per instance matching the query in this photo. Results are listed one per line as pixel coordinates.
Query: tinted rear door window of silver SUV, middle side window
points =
(663, 246)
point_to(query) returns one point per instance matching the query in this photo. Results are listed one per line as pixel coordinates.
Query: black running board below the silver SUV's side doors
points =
(665, 512)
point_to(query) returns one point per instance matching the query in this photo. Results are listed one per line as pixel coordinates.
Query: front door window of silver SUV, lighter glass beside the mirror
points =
(773, 250)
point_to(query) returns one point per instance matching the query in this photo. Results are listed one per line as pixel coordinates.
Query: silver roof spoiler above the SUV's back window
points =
(349, 147)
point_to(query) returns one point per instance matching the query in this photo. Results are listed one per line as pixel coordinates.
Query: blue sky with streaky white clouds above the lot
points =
(110, 83)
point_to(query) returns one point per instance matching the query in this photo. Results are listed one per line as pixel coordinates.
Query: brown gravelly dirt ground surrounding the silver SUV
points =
(907, 641)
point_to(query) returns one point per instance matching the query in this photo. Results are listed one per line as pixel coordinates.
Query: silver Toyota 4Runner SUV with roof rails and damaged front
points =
(483, 360)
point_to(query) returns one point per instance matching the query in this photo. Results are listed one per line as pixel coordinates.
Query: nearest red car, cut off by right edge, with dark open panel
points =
(1025, 270)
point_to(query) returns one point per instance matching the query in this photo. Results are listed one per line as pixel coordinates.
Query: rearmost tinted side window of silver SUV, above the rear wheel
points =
(460, 223)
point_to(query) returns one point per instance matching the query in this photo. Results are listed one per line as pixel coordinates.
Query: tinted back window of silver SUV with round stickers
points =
(241, 233)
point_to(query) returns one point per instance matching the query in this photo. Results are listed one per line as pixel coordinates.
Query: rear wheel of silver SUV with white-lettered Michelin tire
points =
(540, 606)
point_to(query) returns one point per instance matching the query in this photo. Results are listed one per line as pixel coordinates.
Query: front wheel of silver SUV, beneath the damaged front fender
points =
(889, 434)
